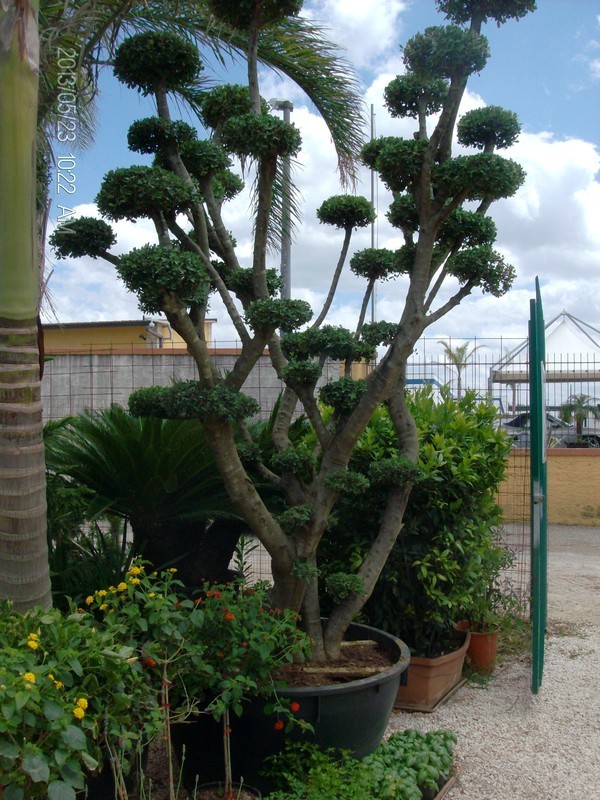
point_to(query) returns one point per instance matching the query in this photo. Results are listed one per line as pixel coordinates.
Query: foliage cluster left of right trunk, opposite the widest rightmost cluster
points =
(398, 161)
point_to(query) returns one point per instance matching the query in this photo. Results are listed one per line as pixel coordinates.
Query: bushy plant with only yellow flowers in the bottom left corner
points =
(69, 696)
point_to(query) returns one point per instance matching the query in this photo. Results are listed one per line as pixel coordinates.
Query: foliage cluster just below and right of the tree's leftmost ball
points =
(152, 271)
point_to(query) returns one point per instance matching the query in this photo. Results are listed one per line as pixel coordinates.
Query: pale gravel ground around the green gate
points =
(513, 745)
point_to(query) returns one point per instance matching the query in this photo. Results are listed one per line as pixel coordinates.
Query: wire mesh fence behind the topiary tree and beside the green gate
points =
(495, 369)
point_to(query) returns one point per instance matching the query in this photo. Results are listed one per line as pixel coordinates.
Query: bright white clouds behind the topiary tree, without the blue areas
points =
(549, 229)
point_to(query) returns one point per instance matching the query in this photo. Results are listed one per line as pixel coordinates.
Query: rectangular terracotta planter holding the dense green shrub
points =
(431, 680)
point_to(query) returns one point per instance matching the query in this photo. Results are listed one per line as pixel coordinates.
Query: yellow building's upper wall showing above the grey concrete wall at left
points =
(112, 335)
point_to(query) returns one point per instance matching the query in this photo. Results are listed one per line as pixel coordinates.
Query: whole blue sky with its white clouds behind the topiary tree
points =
(545, 67)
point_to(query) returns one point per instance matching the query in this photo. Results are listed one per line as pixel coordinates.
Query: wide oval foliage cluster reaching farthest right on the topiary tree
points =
(478, 177)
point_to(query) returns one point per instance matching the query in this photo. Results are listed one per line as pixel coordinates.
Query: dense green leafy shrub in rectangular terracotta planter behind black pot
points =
(447, 554)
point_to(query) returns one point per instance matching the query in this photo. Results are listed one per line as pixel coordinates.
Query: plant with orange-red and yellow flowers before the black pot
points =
(204, 654)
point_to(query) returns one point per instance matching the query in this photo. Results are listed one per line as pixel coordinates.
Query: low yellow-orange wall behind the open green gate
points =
(573, 486)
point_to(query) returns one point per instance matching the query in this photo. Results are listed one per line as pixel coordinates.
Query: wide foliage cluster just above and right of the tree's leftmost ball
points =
(134, 192)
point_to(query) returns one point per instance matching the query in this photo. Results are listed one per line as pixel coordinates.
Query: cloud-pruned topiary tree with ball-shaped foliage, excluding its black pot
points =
(190, 183)
